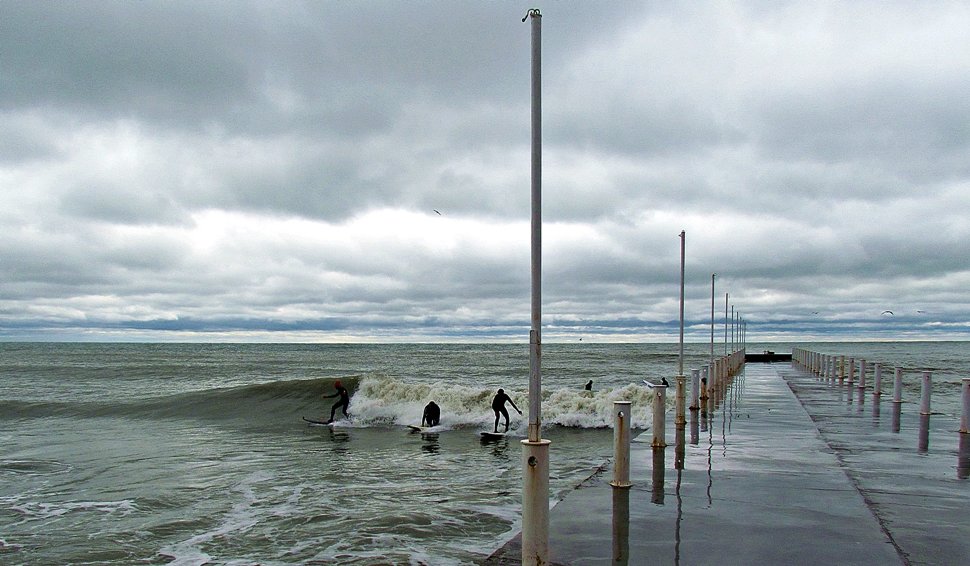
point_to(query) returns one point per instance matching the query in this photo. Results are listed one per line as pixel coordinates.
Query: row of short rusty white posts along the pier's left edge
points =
(708, 384)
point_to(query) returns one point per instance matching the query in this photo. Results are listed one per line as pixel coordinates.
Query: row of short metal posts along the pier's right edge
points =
(842, 370)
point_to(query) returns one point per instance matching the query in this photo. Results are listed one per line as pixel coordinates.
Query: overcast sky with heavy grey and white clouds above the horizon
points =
(270, 171)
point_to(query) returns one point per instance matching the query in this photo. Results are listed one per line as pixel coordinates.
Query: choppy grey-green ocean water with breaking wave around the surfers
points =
(197, 453)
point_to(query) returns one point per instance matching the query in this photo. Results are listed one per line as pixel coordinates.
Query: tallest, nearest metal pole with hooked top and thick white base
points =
(535, 450)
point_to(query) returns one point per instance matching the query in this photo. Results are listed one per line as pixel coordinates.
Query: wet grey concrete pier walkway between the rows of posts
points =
(788, 469)
